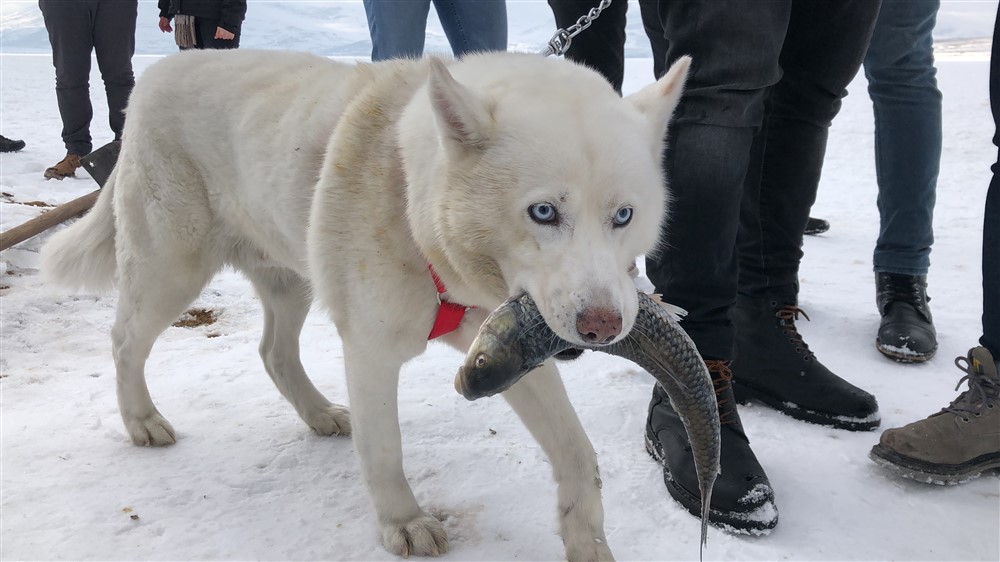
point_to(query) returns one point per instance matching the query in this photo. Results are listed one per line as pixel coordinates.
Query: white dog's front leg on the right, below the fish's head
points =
(541, 401)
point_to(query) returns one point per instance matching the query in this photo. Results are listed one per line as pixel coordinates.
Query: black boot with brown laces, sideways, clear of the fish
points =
(774, 366)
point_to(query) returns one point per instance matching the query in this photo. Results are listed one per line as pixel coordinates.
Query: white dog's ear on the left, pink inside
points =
(462, 115)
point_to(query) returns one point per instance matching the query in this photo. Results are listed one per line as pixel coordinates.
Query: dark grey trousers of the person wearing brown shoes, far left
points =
(77, 28)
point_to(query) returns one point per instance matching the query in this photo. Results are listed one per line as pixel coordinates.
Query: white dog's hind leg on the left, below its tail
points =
(154, 291)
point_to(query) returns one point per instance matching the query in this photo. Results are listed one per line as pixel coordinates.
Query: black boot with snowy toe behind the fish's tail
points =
(742, 499)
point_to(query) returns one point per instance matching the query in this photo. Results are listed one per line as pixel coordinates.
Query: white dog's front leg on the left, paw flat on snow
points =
(372, 377)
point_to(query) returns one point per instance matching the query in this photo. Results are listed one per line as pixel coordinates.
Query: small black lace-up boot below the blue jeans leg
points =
(906, 332)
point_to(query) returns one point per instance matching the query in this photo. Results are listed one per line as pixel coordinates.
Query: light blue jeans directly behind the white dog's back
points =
(398, 27)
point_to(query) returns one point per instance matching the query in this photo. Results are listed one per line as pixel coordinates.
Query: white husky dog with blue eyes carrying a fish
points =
(504, 172)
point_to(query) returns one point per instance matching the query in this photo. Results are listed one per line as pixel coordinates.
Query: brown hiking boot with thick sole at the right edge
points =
(958, 443)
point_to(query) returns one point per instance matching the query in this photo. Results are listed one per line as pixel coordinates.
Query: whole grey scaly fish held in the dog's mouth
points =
(515, 339)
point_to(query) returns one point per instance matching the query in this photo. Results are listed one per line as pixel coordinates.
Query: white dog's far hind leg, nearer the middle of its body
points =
(286, 299)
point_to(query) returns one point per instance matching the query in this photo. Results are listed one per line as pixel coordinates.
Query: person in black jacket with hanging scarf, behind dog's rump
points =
(204, 24)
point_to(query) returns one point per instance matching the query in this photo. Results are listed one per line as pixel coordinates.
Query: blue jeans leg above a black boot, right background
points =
(903, 86)
